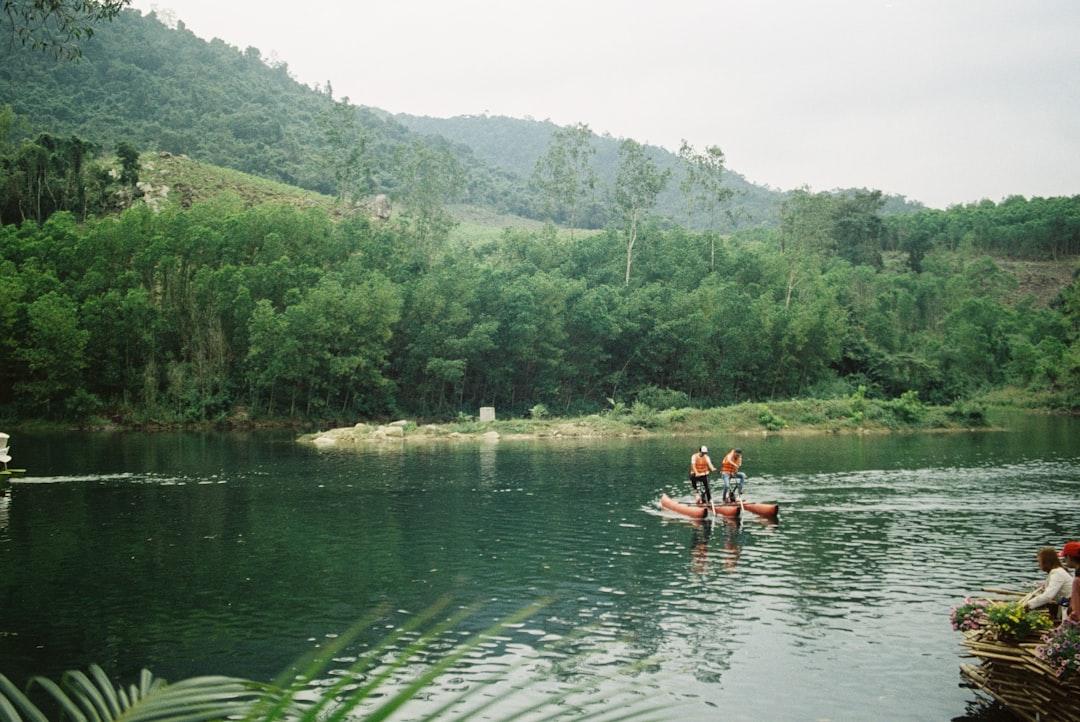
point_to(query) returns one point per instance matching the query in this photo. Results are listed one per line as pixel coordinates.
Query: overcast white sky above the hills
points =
(941, 101)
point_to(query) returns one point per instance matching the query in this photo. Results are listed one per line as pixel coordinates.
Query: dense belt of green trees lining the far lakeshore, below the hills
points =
(293, 315)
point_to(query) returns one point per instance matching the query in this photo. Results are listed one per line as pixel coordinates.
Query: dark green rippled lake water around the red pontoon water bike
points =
(237, 553)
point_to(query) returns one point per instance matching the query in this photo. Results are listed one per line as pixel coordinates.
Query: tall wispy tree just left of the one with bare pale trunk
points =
(565, 171)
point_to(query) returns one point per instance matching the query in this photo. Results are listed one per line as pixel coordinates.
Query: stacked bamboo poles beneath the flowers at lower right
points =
(1009, 673)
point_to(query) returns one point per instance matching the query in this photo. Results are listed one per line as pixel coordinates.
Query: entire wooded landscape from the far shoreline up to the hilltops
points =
(214, 304)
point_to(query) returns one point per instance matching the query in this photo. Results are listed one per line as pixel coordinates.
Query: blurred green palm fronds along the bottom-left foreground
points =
(92, 698)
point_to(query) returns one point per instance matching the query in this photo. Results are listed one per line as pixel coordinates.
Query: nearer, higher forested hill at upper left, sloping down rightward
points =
(165, 90)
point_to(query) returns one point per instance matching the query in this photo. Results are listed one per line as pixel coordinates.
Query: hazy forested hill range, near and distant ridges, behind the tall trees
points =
(164, 89)
